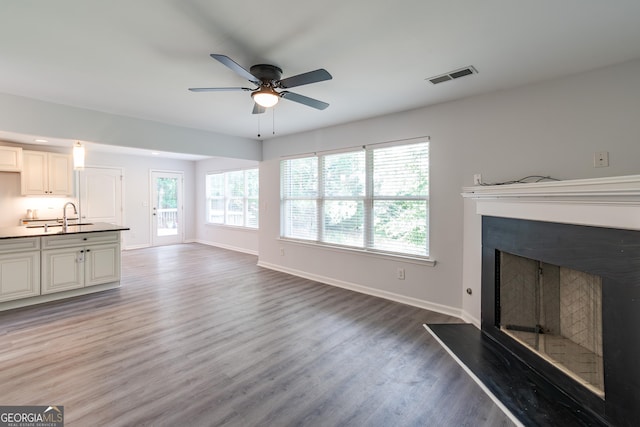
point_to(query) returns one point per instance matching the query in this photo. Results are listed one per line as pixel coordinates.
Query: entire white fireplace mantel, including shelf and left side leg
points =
(612, 202)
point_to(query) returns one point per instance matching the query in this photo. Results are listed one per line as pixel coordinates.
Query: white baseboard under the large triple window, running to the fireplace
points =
(415, 302)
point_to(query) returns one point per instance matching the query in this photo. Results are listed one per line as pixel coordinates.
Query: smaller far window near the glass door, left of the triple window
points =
(232, 198)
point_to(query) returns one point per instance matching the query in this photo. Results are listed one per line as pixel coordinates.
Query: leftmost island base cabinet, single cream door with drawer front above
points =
(19, 268)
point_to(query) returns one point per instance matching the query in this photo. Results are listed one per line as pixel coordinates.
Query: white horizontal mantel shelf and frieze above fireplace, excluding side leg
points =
(612, 202)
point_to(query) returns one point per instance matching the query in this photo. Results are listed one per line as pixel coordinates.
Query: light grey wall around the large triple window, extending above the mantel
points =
(551, 128)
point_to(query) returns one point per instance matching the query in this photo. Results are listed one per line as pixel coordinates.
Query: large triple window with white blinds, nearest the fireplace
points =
(374, 198)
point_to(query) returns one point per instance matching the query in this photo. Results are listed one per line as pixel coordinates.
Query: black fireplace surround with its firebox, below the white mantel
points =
(565, 298)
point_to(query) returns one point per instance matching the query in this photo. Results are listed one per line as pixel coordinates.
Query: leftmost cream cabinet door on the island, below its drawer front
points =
(19, 275)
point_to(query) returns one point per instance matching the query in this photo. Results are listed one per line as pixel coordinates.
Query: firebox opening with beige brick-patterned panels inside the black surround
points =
(556, 312)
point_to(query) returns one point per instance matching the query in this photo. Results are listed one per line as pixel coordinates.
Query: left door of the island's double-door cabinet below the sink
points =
(62, 270)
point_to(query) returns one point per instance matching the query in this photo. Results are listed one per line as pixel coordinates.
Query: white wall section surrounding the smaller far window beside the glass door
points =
(234, 238)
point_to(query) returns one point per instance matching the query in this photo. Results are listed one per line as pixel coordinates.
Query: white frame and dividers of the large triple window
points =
(368, 200)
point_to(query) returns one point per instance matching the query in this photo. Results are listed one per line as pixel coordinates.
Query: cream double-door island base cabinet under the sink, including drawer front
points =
(73, 267)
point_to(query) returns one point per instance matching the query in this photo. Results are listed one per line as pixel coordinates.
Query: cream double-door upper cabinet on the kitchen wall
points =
(46, 174)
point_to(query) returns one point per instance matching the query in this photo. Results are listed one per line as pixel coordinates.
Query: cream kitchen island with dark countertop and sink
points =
(46, 262)
